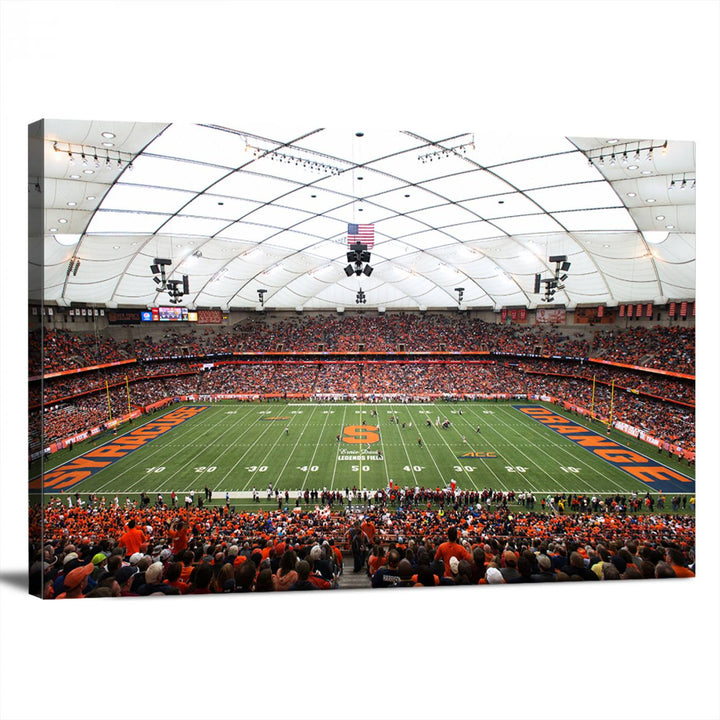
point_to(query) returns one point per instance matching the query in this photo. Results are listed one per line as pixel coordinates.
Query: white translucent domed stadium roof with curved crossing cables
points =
(430, 216)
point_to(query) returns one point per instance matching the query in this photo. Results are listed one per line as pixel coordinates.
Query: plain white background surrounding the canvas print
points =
(642, 650)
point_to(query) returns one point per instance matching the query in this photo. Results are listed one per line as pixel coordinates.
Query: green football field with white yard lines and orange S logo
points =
(235, 447)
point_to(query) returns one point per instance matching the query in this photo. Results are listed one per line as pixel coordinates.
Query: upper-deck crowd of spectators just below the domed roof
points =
(670, 348)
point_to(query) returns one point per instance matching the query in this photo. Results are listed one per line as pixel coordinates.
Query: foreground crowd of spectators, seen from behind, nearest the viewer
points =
(104, 547)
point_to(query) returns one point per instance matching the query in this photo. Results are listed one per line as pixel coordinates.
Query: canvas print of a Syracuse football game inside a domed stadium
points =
(273, 359)
